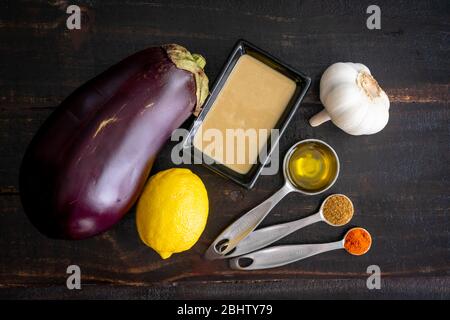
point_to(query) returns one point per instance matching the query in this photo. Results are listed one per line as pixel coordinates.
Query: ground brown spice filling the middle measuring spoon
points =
(338, 210)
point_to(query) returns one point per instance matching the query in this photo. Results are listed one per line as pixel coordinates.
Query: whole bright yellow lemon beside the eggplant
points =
(172, 211)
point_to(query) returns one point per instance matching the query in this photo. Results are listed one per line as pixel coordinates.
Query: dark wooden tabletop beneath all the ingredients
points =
(398, 178)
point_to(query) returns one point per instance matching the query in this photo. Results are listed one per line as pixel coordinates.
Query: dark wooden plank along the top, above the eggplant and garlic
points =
(415, 47)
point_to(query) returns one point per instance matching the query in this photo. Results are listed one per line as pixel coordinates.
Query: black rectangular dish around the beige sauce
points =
(302, 82)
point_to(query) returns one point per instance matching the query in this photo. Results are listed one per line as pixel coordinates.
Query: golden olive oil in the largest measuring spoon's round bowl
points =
(312, 166)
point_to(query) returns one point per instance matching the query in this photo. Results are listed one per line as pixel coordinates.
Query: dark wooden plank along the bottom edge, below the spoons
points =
(313, 288)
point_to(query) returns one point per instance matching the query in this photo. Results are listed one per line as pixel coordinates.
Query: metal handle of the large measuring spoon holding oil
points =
(242, 227)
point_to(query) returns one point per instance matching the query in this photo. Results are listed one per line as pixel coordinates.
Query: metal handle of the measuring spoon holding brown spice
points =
(263, 237)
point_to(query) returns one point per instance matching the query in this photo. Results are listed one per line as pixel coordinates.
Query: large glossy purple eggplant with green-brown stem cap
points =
(87, 164)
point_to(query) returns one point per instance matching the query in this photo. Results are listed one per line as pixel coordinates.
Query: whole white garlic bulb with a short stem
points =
(353, 100)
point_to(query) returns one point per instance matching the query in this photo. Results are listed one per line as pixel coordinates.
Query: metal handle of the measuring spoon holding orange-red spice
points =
(281, 255)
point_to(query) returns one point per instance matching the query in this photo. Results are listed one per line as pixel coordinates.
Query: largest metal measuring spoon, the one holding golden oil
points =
(242, 227)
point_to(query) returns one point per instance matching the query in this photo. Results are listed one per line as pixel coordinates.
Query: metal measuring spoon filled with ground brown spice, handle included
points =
(335, 205)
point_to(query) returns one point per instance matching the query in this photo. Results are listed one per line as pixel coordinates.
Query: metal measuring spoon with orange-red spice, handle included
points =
(281, 255)
